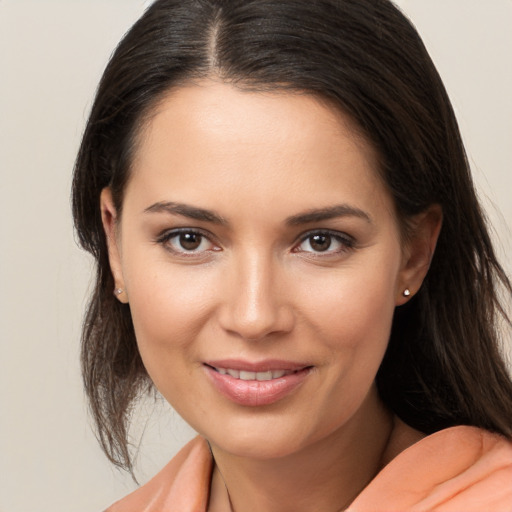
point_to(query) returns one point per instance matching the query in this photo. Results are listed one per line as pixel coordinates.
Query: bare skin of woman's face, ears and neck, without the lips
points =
(257, 287)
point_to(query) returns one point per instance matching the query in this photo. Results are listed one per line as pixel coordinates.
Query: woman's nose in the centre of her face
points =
(255, 304)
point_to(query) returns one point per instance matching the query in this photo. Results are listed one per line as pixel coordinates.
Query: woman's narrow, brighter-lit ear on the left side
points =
(109, 220)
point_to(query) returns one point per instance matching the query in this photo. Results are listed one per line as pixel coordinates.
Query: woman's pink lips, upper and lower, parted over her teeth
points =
(255, 393)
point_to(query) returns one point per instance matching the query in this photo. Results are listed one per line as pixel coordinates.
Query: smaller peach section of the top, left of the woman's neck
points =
(183, 484)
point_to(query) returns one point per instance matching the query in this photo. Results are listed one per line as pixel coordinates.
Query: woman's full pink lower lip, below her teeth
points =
(254, 392)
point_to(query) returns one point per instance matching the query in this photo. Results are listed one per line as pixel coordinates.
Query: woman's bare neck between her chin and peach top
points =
(324, 476)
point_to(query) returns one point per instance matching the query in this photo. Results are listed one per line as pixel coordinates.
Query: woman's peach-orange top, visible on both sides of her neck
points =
(460, 469)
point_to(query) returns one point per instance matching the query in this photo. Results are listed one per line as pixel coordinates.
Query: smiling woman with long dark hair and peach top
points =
(291, 251)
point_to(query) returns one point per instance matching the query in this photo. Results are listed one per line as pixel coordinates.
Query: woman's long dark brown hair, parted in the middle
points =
(443, 366)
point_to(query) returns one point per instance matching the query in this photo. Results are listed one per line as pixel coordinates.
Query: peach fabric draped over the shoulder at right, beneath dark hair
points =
(460, 468)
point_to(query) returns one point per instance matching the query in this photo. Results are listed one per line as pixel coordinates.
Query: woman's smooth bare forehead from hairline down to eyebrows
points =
(205, 141)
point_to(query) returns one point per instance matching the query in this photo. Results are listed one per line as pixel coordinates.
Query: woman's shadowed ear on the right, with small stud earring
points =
(418, 251)
